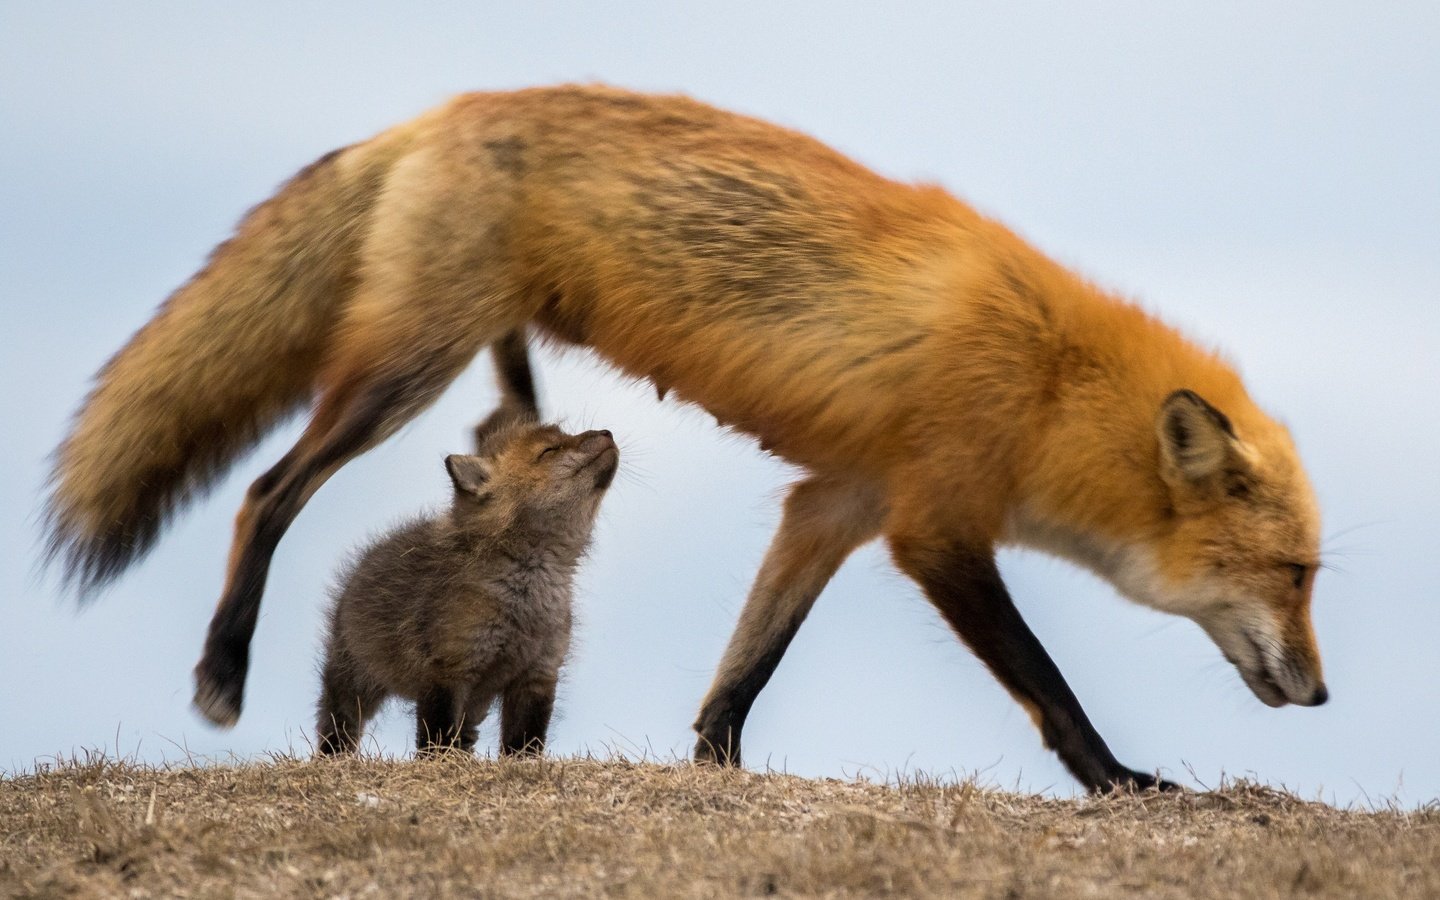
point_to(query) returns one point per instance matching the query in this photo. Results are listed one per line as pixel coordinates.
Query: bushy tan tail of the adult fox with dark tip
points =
(224, 361)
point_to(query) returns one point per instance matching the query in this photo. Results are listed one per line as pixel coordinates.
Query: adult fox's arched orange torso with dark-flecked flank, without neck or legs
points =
(750, 269)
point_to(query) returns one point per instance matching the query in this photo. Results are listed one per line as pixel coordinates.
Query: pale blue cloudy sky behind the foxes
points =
(1262, 178)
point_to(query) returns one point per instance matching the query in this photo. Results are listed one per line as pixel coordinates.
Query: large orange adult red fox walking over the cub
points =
(945, 385)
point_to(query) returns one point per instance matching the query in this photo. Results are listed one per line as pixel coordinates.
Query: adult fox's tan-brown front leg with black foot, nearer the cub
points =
(824, 522)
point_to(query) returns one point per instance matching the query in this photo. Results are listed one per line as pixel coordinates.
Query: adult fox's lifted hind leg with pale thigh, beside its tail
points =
(426, 307)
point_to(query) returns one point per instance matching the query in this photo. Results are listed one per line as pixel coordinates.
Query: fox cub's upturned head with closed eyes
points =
(522, 469)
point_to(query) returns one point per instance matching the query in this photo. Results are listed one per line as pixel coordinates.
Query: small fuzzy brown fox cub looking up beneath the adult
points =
(464, 608)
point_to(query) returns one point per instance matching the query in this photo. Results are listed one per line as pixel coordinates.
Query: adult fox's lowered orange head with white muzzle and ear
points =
(1239, 548)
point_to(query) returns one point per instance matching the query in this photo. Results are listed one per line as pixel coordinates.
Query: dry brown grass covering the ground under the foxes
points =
(580, 827)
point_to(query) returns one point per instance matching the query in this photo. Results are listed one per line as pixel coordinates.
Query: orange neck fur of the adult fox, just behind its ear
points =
(1089, 489)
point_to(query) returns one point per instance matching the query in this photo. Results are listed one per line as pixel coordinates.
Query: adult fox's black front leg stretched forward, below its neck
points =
(966, 587)
